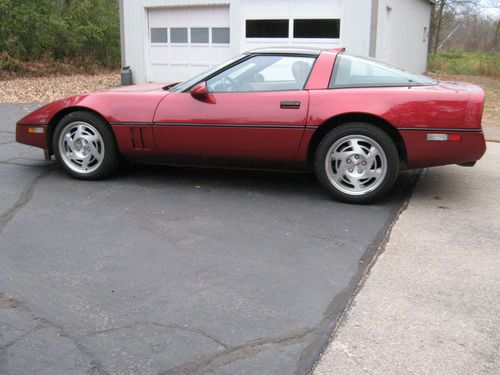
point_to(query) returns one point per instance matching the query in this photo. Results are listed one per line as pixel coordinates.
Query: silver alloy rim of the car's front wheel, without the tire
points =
(81, 147)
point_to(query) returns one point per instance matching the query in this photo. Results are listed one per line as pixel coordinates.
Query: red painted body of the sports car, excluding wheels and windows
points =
(152, 124)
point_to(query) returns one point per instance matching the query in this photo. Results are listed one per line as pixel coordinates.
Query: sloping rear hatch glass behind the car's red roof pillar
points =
(353, 71)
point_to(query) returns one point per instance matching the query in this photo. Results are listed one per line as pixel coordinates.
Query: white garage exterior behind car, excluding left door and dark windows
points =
(399, 33)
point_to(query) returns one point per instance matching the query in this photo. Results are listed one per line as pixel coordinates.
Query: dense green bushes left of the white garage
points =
(80, 31)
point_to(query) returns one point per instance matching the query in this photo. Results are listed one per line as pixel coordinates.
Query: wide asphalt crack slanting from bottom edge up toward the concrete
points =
(246, 350)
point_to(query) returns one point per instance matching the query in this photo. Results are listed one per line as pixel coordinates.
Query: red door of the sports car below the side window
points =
(255, 127)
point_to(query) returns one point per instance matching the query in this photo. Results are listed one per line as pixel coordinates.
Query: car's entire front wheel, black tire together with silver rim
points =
(96, 140)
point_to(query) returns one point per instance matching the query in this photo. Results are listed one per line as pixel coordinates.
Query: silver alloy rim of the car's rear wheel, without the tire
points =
(356, 165)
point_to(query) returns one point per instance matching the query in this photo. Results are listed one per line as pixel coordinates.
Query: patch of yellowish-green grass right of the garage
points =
(465, 63)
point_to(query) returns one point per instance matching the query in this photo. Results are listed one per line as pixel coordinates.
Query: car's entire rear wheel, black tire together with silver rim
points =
(356, 183)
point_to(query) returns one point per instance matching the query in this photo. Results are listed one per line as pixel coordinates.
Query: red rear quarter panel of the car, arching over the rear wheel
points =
(415, 112)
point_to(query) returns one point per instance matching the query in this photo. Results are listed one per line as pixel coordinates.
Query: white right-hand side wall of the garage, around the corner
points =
(400, 34)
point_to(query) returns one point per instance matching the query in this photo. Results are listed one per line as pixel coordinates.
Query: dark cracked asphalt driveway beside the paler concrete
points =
(172, 270)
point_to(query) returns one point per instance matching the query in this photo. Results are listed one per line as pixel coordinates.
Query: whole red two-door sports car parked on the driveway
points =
(355, 121)
